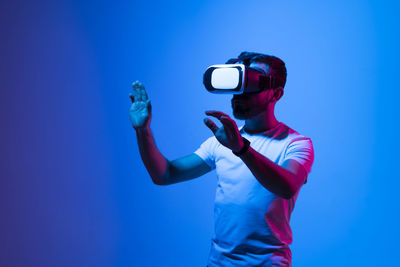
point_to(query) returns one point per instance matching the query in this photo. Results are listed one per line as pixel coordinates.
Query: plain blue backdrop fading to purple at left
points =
(74, 191)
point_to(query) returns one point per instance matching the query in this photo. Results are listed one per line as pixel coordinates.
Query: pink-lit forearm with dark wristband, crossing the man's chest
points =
(270, 175)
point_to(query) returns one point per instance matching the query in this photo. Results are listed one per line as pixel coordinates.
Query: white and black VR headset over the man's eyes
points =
(236, 79)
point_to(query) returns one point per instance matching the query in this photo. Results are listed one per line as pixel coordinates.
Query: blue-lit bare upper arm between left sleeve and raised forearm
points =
(186, 168)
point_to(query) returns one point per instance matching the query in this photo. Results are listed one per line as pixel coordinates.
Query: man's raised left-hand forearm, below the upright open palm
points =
(156, 164)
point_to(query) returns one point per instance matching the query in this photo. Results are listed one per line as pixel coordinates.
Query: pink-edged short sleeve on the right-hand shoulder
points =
(301, 150)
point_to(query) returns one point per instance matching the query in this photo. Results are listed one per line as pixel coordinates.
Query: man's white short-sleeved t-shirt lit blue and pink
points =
(251, 223)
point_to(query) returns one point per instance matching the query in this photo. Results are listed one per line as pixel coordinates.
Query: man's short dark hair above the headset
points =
(278, 68)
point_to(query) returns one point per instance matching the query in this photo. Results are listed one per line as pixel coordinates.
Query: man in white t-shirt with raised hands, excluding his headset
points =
(260, 167)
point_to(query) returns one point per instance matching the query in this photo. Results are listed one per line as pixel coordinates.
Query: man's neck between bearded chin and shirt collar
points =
(262, 122)
